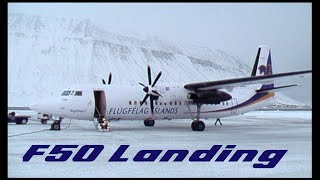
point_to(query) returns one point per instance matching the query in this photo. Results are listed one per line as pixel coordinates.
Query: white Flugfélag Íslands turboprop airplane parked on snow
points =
(195, 101)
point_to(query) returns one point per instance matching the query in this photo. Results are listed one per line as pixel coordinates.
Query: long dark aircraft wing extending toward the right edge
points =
(231, 83)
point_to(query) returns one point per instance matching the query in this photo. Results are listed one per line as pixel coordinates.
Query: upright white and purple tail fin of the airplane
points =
(262, 65)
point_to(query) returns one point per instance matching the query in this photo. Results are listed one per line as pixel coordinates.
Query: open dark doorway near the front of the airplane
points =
(100, 103)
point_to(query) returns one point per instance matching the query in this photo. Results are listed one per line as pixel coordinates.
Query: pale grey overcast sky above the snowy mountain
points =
(237, 28)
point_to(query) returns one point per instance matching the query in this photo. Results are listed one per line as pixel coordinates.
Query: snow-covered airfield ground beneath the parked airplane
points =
(289, 130)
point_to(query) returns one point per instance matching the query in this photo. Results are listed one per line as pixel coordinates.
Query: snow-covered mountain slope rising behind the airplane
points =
(47, 54)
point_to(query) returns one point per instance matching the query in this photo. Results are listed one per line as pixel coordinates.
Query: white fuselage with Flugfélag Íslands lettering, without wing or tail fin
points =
(123, 103)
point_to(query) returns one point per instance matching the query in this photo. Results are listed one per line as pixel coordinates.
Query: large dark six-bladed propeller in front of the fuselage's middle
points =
(150, 92)
